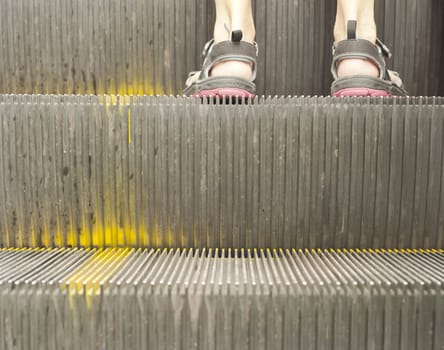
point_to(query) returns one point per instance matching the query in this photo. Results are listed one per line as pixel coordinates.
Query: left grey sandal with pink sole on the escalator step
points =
(200, 84)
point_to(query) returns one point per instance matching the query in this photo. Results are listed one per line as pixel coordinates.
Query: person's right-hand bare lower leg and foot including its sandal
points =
(359, 67)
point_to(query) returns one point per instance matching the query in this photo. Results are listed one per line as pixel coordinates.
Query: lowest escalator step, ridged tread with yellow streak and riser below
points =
(184, 299)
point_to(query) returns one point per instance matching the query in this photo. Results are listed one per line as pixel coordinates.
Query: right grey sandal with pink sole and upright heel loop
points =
(363, 85)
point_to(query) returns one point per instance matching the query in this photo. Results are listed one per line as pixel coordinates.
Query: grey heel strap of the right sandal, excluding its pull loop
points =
(361, 49)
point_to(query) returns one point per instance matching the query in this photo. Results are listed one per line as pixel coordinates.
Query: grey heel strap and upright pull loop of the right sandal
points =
(353, 47)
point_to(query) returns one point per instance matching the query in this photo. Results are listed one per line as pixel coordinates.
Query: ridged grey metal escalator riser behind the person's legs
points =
(149, 46)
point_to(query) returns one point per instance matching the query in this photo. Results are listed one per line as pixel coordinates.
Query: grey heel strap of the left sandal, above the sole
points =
(230, 50)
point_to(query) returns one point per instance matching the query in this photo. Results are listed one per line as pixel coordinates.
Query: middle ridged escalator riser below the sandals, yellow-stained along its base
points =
(173, 172)
